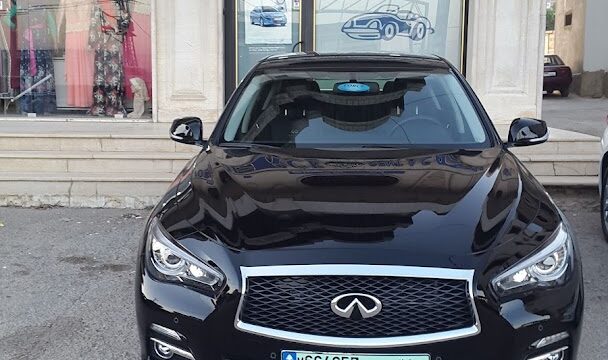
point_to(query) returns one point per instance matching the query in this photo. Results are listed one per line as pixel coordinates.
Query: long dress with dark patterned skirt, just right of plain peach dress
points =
(107, 42)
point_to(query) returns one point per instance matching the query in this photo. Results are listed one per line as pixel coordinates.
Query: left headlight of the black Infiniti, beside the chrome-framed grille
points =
(176, 264)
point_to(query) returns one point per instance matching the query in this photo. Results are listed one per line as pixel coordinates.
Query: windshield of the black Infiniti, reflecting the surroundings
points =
(325, 109)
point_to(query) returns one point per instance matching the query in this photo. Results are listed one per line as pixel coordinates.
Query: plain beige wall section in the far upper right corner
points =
(596, 29)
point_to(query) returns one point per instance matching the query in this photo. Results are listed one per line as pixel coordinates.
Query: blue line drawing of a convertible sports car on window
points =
(386, 22)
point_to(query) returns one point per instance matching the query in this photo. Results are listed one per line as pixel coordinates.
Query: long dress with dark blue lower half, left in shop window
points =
(36, 42)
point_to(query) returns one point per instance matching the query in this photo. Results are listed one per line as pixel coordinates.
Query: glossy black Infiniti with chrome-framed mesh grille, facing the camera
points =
(357, 207)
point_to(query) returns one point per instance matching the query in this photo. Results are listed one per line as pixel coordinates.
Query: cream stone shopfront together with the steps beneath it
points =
(138, 64)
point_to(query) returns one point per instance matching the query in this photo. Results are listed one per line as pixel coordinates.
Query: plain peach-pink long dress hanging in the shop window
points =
(79, 68)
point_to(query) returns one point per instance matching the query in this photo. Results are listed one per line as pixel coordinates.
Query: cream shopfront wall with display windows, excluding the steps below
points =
(94, 60)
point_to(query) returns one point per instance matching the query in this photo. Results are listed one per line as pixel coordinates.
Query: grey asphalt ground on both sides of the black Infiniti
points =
(66, 280)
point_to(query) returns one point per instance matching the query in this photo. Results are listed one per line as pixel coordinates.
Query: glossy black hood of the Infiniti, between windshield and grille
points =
(405, 204)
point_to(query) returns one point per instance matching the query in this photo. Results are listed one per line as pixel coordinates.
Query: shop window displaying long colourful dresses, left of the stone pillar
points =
(76, 58)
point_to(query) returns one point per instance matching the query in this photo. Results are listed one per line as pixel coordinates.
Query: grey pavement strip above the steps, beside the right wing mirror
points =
(574, 113)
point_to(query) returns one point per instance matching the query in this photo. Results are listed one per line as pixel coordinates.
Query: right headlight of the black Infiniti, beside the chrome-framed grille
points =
(541, 269)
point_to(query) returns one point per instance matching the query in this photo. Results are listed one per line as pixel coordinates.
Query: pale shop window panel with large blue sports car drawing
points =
(403, 26)
